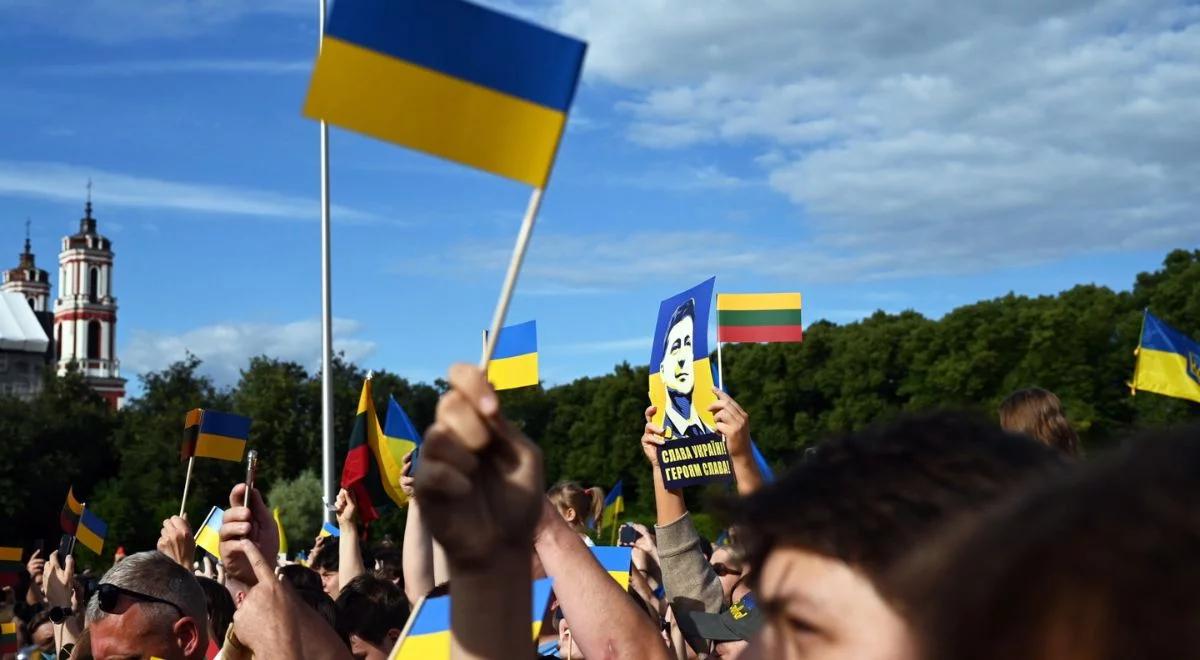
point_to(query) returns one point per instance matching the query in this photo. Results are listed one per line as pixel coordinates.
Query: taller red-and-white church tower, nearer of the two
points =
(86, 311)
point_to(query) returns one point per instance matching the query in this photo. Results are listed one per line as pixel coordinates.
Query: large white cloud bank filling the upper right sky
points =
(928, 137)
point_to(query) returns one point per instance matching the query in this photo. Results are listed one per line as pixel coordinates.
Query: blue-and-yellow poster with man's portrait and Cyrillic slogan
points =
(682, 391)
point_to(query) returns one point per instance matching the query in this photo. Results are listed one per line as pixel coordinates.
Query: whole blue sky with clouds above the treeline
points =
(867, 154)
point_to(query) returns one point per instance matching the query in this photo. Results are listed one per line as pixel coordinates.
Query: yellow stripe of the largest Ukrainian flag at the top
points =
(398, 101)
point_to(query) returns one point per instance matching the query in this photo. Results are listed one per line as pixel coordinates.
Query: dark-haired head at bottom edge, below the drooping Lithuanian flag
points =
(371, 614)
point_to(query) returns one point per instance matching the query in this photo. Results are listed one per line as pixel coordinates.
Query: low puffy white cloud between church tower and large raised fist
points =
(226, 349)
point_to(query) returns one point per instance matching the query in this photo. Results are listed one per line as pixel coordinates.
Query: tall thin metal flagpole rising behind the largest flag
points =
(327, 314)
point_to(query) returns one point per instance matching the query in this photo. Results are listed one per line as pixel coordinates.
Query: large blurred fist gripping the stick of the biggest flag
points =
(481, 484)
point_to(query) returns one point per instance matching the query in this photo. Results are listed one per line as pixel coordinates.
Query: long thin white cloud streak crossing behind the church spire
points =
(65, 183)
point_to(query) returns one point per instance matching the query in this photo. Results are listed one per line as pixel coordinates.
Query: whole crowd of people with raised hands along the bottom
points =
(932, 537)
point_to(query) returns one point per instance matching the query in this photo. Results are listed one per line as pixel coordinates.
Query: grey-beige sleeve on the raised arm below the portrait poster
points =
(688, 579)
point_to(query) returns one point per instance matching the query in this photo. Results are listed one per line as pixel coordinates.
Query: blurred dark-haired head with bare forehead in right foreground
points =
(821, 541)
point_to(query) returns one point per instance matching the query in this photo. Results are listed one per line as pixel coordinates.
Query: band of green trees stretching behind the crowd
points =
(1078, 344)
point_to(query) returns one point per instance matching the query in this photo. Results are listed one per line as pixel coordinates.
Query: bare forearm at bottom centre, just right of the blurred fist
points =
(605, 622)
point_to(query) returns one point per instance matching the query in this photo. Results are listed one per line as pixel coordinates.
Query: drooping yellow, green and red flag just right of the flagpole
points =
(371, 473)
